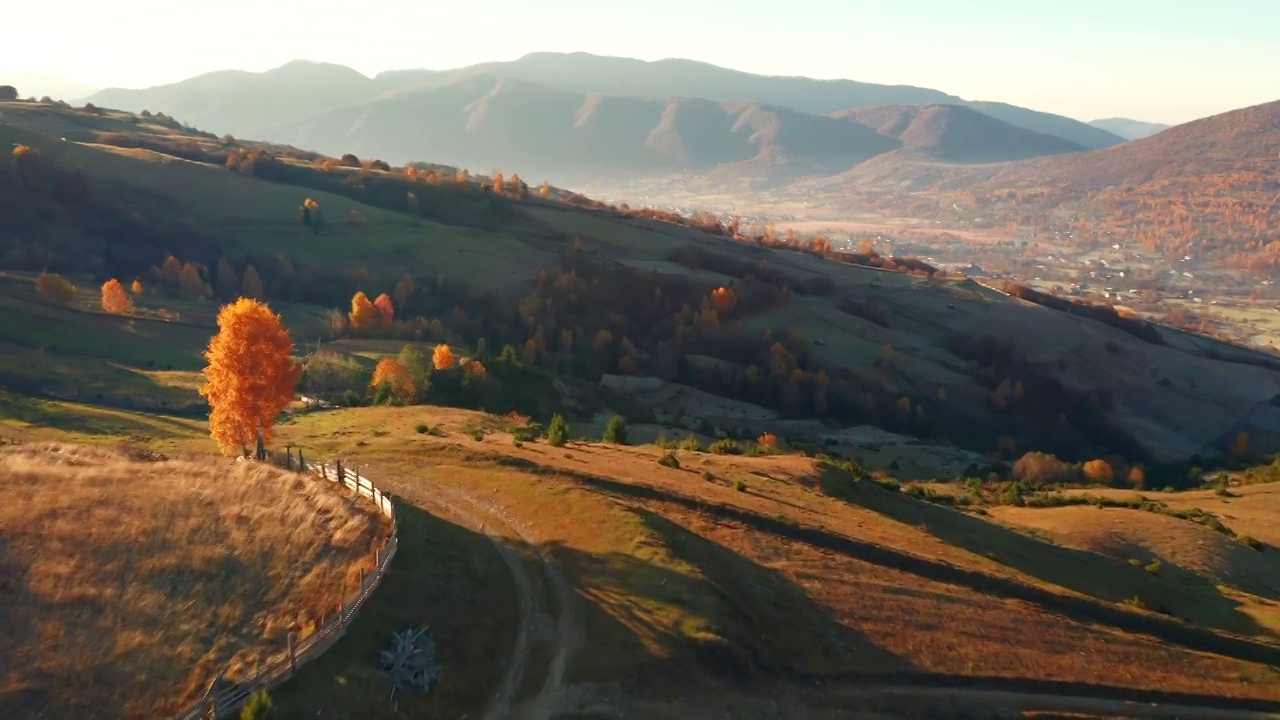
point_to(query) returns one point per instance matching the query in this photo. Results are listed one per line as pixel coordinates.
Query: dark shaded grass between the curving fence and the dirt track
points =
(444, 576)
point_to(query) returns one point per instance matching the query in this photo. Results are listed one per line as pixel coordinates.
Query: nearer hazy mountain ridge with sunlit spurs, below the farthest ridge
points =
(491, 122)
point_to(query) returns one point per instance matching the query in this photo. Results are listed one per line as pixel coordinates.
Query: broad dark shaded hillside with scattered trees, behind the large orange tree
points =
(953, 339)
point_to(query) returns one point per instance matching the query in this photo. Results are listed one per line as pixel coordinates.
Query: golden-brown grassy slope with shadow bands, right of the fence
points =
(684, 575)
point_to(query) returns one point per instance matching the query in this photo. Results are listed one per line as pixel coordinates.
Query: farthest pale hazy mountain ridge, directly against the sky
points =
(252, 104)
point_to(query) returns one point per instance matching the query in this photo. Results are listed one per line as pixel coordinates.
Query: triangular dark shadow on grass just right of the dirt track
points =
(725, 617)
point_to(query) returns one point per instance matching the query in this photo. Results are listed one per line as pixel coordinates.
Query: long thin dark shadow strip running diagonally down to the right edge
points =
(1084, 610)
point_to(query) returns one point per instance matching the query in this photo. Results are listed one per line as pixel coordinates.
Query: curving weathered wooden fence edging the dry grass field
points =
(220, 703)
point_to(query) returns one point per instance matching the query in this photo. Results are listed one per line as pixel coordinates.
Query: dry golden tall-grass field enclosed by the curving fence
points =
(129, 582)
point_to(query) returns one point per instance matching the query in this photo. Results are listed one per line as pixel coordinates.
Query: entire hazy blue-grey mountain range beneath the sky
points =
(563, 116)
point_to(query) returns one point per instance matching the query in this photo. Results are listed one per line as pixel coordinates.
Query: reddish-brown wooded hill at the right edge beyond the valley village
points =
(1205, 189)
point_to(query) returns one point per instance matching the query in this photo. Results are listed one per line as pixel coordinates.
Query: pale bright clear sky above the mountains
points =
(1155, 61)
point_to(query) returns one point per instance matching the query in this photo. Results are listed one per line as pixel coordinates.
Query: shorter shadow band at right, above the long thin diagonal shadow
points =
(1196, 599)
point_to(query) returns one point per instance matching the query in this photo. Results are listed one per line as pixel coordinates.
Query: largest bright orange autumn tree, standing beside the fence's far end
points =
(252, 376)
